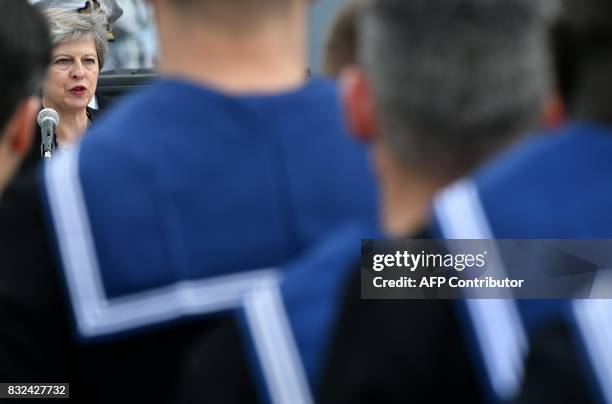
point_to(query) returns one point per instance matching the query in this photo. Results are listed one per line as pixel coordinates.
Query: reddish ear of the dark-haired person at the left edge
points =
(20, 129)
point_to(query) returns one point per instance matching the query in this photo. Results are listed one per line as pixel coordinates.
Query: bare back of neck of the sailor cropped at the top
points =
(237, 46)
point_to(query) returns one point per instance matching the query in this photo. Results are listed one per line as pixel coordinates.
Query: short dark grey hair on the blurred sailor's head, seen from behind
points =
(454, 80)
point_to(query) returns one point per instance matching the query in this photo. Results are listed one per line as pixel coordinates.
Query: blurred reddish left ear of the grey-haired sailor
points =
(358, 101)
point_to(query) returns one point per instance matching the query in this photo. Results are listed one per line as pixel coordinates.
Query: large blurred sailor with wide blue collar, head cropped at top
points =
(175, 203)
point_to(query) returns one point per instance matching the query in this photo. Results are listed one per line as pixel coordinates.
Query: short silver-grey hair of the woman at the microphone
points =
(66, 26)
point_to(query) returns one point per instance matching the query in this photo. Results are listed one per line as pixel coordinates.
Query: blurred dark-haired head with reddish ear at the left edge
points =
(25, 49)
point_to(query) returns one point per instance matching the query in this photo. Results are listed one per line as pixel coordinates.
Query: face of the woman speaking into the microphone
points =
(73, 75)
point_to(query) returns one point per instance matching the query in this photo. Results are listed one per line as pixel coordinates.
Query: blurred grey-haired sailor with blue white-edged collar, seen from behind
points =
(439, 87)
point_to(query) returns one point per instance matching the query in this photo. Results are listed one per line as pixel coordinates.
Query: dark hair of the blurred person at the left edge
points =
(25, 50)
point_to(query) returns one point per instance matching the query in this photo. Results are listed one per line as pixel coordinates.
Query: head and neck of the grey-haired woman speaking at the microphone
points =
(80, 45)
